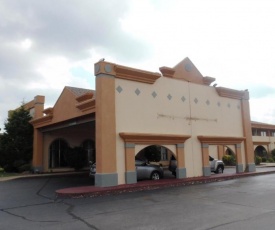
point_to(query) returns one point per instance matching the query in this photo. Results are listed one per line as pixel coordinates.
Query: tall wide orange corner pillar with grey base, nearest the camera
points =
(106, 171)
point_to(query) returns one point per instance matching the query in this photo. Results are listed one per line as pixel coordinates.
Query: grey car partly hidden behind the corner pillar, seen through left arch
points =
(144, 170)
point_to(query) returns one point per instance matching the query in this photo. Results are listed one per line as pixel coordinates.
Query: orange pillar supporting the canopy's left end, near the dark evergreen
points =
(37, 161)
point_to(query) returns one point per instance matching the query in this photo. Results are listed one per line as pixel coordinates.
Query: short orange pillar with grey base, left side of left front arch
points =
(130, 173)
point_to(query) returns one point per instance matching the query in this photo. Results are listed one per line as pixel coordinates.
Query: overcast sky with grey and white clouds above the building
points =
(47, 45)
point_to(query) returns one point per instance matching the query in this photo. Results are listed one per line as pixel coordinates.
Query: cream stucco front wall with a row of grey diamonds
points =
(210, 115)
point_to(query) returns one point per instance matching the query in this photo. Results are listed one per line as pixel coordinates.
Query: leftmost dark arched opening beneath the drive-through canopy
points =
(57, 156)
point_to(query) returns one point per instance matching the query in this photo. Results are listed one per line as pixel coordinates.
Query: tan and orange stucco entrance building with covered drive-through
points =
(176, 108)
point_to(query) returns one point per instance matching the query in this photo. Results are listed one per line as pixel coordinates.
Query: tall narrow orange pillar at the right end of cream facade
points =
(247, 130)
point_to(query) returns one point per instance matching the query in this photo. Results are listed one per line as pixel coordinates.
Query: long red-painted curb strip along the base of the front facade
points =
(92, 191)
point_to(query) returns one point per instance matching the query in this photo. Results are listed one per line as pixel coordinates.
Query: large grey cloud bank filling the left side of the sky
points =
(40, 41)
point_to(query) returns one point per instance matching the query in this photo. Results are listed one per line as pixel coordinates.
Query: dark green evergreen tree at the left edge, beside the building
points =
(16, 144)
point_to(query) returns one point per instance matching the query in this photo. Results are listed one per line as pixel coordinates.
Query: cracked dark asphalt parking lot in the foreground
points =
(244, 203)
